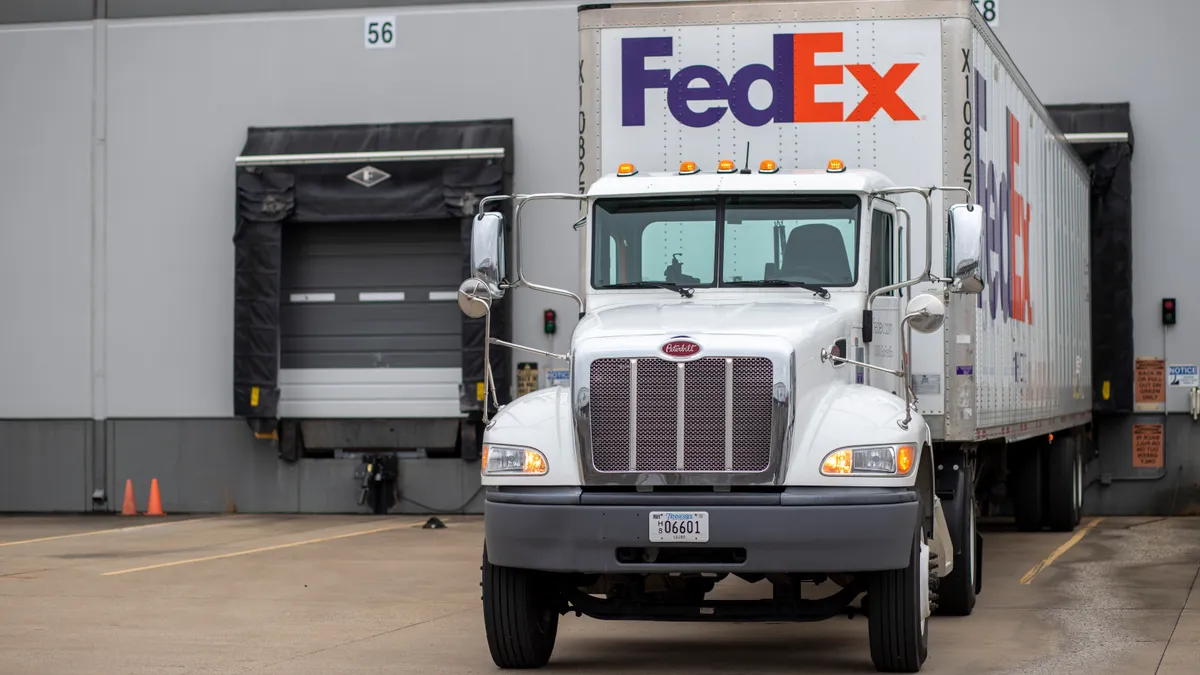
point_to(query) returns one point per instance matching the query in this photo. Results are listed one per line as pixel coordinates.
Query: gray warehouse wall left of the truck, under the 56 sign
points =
(117, 147)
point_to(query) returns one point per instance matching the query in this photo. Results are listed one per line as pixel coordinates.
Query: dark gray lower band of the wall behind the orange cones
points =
(202, 467)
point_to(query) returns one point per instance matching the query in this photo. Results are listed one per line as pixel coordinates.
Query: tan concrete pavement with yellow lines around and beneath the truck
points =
(327, 595)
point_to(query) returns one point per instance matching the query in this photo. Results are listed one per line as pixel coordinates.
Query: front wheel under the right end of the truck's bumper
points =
(898, 619)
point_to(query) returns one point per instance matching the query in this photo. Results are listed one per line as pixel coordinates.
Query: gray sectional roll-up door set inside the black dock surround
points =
(370, 326)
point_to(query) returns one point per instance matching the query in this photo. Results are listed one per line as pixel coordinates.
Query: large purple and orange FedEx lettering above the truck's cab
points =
(794, 79)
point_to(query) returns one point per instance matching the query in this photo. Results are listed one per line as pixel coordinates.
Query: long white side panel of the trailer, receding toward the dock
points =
(1033, 337)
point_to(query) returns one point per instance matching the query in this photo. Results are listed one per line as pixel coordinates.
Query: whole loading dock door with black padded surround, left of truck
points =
(350, 246)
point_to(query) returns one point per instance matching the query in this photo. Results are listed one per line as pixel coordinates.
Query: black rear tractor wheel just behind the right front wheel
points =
(957, 592)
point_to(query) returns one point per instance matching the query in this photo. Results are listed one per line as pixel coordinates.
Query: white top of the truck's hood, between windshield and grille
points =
(796, 321)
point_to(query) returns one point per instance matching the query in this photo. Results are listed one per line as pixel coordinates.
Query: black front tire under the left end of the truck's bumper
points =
(519, 617)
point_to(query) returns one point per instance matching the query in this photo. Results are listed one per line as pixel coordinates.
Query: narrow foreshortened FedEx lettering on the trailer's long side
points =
(1007, 214)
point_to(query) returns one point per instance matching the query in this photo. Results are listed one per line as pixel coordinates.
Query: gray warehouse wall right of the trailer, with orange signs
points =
(1115, 51)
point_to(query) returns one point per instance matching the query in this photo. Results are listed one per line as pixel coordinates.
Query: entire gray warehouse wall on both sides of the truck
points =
(119, 122)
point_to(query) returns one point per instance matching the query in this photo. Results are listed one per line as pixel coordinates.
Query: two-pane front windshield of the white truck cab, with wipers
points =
(741, 241)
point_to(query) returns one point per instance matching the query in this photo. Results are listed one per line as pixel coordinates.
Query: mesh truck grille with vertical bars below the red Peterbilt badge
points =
(711, 415)
